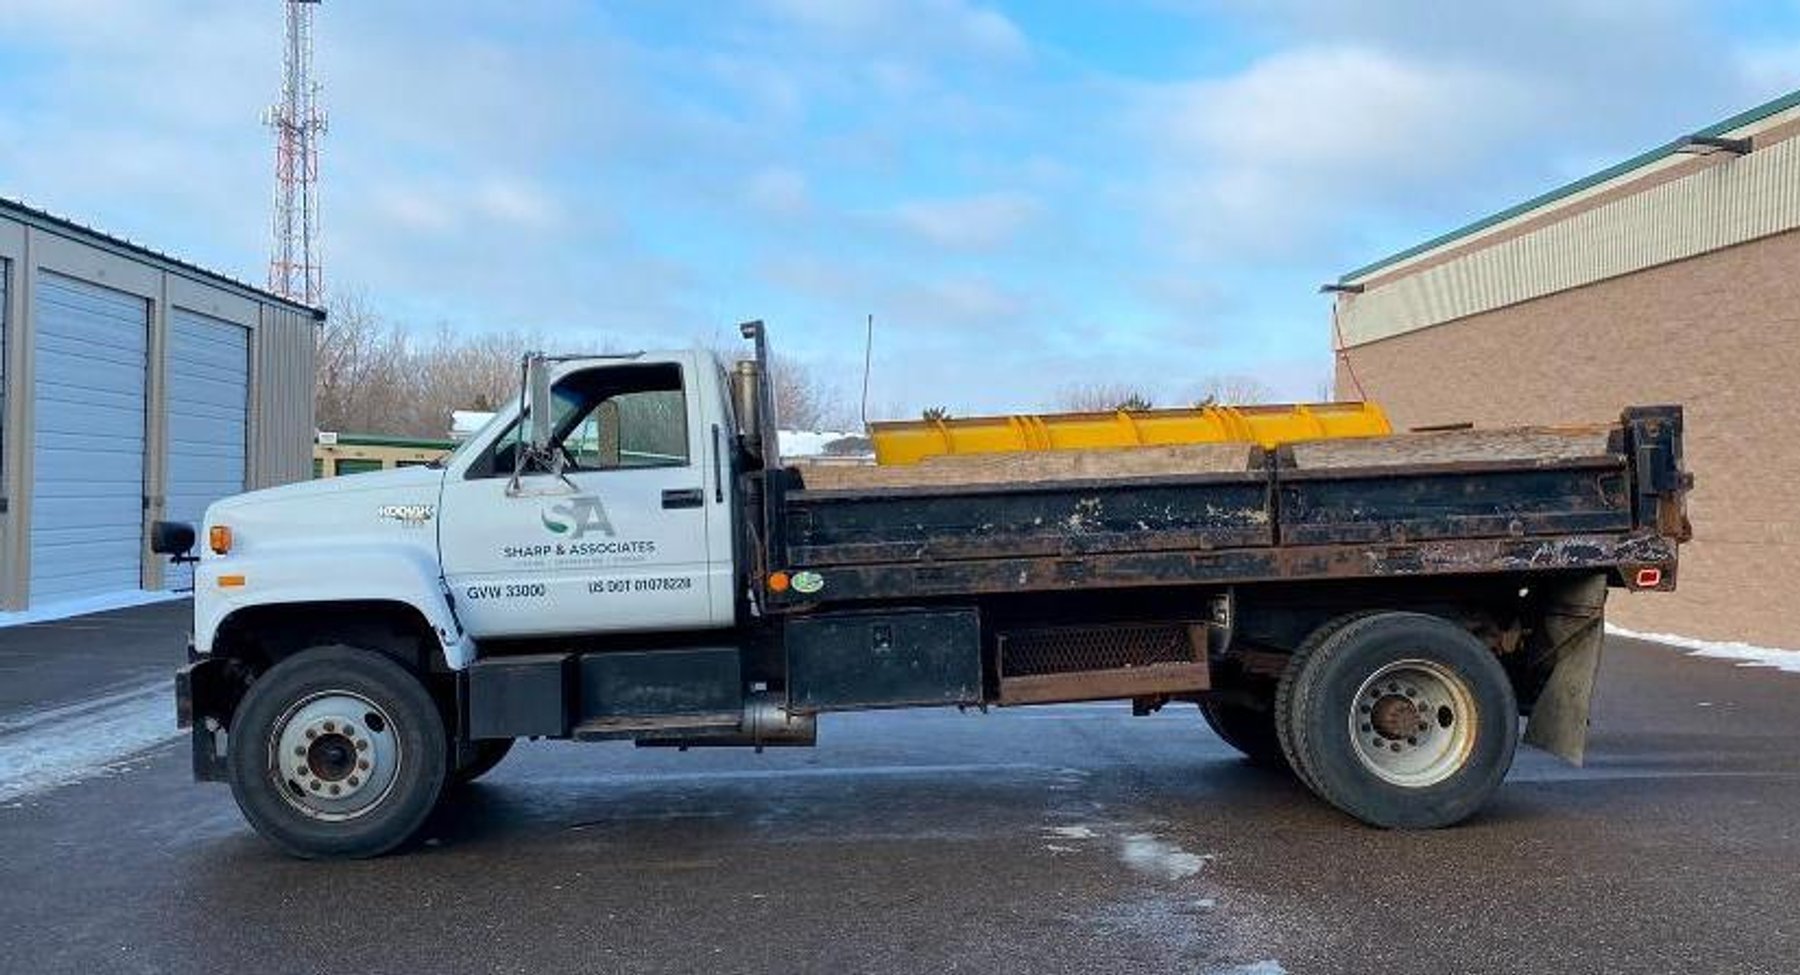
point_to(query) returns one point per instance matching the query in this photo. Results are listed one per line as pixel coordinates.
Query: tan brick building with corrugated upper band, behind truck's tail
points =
(1671, 278)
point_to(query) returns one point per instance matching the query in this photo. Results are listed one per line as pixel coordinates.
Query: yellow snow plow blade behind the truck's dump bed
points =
(913, 440)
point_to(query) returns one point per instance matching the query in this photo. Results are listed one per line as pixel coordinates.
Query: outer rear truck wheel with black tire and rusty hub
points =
(1464, 713)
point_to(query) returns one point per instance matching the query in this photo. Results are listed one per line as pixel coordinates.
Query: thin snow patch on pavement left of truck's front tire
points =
(62, 746)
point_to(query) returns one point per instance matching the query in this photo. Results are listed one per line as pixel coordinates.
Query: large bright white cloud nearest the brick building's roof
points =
(1259, 161)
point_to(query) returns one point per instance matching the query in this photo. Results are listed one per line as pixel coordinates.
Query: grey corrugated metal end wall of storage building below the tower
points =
(282, 422)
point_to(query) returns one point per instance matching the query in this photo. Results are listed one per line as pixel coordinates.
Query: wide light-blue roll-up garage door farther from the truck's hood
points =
(87, 517)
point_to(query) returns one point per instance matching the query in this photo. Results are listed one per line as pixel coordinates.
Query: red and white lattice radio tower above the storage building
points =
(296, 269)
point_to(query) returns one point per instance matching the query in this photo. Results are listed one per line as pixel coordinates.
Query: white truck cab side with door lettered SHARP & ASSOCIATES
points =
(618, 541)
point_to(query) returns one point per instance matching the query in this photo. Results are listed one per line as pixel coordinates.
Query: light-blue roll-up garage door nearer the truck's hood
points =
(210, 388)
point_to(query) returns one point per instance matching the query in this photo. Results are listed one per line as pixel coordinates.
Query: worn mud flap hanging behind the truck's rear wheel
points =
(1576, 631)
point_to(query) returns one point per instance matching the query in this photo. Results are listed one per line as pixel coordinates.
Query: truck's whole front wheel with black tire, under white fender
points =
(404, 720)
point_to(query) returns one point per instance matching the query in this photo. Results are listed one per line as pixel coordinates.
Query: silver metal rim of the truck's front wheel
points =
(334, 756)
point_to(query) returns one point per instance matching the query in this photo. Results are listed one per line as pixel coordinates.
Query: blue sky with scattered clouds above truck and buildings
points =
(1027, 197)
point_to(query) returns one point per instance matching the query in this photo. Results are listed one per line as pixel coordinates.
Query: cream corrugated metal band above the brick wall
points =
(1722, 206)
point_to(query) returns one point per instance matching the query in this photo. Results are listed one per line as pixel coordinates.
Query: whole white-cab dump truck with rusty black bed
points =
(622, 557)
